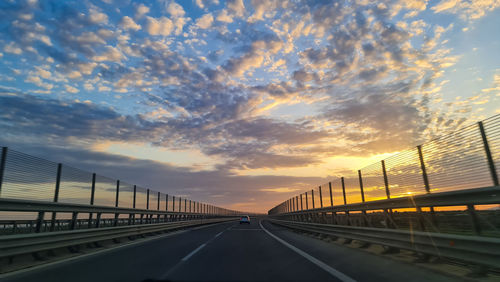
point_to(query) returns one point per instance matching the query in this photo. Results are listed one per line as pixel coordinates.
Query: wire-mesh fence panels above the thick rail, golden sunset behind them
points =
(461, 160)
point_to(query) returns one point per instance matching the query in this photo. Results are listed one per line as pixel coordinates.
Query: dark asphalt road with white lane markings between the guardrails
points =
(230, 252)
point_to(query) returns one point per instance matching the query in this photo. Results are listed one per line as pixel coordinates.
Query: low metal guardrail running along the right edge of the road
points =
(470, 249)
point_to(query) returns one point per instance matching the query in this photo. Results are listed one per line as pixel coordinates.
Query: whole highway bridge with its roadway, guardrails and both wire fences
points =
(430, 213)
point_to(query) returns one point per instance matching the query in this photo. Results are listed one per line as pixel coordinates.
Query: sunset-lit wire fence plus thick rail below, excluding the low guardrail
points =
(460, 161)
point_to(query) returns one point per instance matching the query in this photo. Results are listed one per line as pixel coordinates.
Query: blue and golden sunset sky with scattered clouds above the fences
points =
(241, 103)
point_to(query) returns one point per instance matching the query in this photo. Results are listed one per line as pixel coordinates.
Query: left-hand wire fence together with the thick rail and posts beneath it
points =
(37, 195)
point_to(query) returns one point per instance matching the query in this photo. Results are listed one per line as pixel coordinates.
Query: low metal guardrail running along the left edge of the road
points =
(13, 245)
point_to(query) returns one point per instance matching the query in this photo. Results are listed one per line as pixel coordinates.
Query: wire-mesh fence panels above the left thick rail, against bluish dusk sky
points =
(27, 177)
